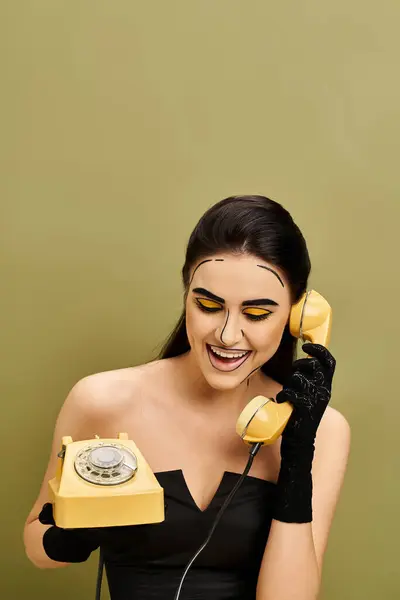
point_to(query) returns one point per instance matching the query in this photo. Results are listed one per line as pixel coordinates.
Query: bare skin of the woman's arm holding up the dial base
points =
(76, 418)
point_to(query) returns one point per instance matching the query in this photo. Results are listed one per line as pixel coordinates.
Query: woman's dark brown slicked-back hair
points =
(260, 227)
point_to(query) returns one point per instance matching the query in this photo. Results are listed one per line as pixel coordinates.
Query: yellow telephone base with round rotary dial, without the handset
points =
(104, 483)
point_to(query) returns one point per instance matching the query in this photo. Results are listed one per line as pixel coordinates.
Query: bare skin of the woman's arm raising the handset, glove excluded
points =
(292, 562)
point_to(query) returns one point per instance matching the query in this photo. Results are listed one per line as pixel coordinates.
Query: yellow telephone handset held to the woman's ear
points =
(263, 420)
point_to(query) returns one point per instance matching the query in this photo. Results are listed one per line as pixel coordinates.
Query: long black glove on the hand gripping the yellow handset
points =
(309, 391)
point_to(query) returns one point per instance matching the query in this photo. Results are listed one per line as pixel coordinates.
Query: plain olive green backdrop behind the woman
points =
(122, 122)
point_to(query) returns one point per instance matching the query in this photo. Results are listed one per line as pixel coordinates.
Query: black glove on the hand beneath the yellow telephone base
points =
(67, 545)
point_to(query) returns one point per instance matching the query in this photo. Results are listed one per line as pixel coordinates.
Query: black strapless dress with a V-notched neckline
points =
(149, 560)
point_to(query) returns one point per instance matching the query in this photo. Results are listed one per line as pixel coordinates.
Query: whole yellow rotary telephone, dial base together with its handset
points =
(107, 482)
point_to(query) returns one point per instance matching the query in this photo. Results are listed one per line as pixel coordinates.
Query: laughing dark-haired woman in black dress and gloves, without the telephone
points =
(246, 264)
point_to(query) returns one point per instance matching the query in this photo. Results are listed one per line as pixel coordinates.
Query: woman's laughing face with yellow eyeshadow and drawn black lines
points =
(236, 311)
